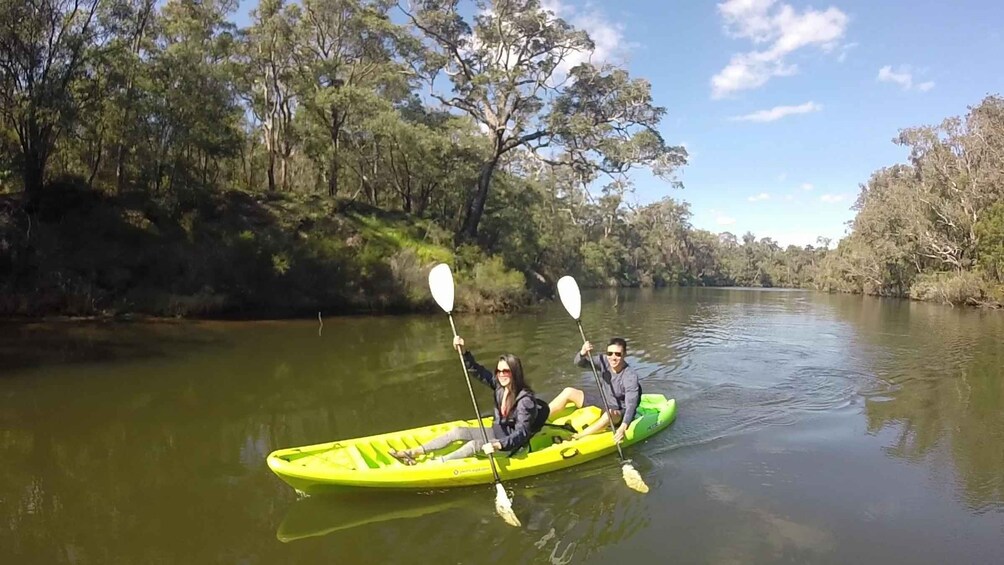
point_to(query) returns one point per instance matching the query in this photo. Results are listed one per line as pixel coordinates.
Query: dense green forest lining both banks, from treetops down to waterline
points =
(156, 158)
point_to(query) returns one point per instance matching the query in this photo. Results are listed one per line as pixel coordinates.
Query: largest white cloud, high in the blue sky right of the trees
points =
(783, 31)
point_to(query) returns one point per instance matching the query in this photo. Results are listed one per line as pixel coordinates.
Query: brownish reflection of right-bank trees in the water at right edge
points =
(947, 399)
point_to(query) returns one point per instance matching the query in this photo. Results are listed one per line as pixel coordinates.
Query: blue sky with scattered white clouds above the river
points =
(786, 107)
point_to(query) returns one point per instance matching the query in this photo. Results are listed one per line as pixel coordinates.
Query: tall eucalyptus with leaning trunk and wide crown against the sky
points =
(509, 67)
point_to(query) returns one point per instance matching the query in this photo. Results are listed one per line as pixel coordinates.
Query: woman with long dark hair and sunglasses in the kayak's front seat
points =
(519, 414)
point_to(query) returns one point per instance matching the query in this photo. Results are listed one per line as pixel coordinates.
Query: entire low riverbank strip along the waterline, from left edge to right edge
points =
(78, 253)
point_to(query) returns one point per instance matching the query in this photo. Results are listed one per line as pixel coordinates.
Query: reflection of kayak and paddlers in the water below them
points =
(564, 521)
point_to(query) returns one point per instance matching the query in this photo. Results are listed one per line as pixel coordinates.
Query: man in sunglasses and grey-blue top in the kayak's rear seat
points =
(619, 385)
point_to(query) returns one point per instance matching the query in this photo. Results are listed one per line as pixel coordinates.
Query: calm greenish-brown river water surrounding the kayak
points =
(812, 429)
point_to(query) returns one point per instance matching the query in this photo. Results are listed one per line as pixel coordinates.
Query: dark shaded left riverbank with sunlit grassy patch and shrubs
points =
(82, 253)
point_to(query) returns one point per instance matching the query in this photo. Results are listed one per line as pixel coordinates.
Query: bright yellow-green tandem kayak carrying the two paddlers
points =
(366, 463)
